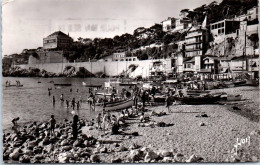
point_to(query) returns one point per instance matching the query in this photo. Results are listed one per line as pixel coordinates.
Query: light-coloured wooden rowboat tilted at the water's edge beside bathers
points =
(118, 105)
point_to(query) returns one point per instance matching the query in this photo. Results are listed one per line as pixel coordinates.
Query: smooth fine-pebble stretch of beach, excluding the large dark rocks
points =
(213, 142)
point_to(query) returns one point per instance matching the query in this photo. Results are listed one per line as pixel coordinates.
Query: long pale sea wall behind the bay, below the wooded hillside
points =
(111, 68)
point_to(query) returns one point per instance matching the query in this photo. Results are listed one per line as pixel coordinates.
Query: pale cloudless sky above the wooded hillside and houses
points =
(26, 22)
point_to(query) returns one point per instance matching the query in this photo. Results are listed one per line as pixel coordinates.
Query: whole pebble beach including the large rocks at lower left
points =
(188, 136)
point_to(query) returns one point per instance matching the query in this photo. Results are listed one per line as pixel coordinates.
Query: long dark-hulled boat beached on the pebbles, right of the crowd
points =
(194, 100)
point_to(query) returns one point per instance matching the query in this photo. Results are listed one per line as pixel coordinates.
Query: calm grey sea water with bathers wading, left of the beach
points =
(32, 102)
